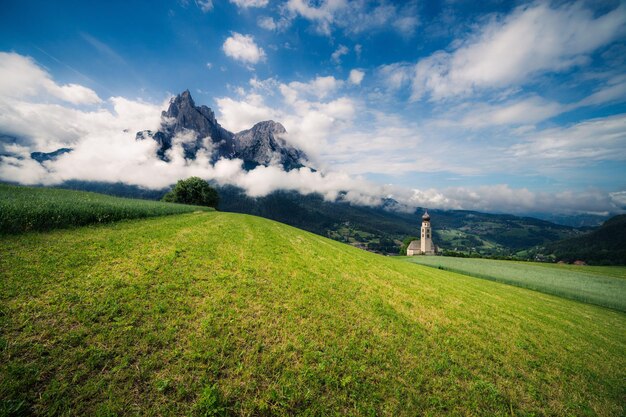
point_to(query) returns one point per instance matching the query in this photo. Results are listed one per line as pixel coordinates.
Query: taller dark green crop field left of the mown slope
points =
(25, 209)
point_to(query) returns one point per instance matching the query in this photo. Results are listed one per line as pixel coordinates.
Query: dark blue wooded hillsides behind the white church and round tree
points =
(380, 229)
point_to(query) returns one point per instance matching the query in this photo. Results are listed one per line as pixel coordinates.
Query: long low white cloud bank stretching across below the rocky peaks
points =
(37, 114)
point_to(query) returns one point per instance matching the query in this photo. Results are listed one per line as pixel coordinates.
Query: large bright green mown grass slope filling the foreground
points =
(225, 314)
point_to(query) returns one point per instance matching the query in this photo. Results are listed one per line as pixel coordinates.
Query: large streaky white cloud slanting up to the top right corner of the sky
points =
(534, 39)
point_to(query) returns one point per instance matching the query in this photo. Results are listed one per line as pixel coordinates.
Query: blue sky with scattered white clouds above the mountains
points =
(493, 105)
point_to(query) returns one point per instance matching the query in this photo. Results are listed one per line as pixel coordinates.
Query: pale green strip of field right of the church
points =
(600, 285)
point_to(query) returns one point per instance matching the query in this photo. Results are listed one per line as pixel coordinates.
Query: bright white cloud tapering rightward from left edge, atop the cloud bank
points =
(20, 76)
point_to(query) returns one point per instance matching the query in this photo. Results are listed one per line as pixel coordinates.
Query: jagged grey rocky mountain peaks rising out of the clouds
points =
(261, 145)
